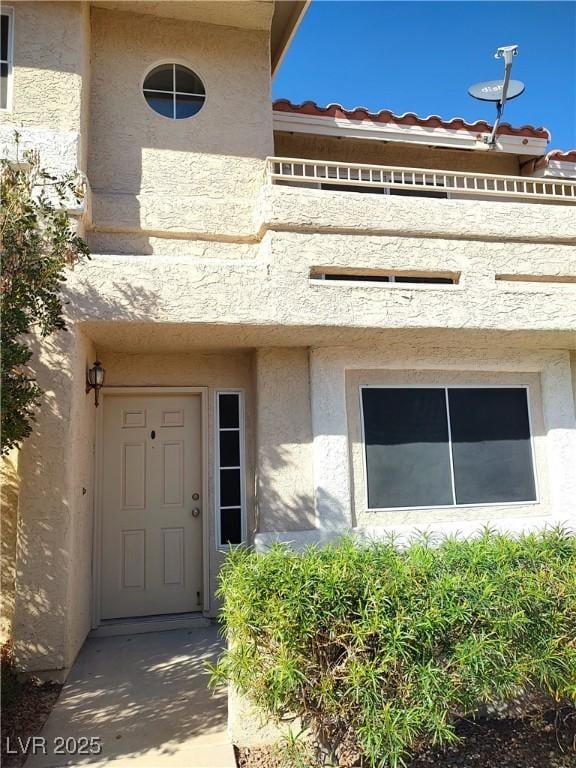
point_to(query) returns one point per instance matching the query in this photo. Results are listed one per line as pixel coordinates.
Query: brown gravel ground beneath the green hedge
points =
(487, 744)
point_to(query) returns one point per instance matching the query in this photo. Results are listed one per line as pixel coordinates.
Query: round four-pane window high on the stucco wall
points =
(174, 91)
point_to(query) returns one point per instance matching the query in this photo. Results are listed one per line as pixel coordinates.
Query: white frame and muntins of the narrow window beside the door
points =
(217, 468)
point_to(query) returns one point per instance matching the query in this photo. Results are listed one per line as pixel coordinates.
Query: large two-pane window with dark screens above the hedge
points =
(447, 446)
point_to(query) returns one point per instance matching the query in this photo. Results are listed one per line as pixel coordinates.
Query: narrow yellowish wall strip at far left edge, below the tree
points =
(9, 488)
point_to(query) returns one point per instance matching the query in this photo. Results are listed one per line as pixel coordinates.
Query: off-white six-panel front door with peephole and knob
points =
(152, 505)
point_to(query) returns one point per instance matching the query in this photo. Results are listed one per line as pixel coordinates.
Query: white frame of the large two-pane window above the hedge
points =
(455, 505)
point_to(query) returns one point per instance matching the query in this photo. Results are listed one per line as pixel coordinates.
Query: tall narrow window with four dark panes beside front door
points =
(230, 523)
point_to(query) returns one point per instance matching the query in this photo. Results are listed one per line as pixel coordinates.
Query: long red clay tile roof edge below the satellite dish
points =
(409, 118)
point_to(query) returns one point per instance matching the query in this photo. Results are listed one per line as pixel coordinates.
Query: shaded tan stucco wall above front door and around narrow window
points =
(224, 370)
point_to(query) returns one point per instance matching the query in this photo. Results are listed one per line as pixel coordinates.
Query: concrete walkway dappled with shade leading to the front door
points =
(145, 698)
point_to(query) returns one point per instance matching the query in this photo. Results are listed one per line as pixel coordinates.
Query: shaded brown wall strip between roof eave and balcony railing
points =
(386, 153)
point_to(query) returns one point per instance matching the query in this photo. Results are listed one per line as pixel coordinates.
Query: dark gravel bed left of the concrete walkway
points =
(24, 712)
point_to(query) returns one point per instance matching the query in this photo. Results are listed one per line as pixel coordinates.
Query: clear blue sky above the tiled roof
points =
(421, 56)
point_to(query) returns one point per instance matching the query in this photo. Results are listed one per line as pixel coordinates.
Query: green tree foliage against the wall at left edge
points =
(38, 243)
